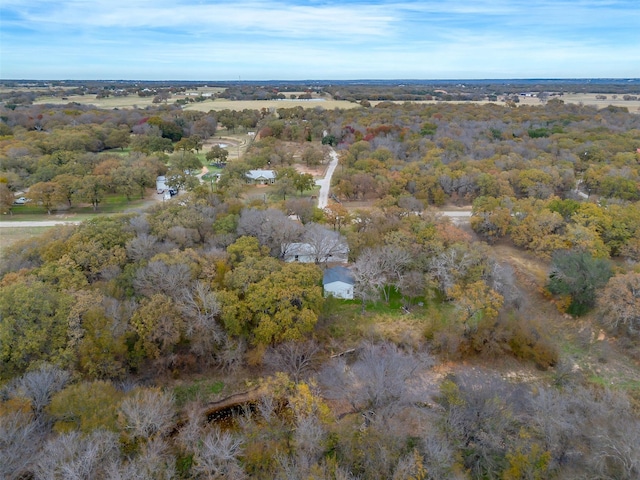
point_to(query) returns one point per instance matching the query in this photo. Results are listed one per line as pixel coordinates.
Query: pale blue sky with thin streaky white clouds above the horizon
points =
(295, 40)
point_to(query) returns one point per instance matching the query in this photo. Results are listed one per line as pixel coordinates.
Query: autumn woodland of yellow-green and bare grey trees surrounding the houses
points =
(120, 337)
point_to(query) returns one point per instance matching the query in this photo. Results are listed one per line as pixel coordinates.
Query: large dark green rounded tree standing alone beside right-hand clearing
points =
(579, 275)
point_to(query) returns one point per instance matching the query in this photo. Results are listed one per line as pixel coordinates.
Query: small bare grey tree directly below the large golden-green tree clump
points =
(294, 358)
